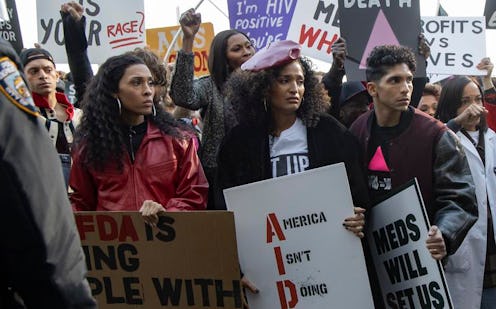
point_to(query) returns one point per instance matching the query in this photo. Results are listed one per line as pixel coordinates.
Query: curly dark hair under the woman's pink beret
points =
(247, 91)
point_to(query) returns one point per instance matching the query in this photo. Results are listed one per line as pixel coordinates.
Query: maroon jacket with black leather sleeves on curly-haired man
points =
(426, 149)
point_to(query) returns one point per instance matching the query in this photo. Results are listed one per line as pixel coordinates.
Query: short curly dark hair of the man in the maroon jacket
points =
(383, 57)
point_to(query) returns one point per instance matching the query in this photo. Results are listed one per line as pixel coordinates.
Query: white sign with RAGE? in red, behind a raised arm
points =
(112, 27)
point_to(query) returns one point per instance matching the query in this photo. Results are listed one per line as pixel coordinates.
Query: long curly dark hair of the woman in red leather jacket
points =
(101, 128)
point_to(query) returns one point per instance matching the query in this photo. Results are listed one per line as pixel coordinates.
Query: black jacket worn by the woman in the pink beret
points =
(244, 156)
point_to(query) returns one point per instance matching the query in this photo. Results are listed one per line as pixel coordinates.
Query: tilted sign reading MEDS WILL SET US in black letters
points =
(396, 232)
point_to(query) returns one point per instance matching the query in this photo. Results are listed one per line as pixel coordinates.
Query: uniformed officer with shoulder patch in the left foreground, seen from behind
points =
(42, 263)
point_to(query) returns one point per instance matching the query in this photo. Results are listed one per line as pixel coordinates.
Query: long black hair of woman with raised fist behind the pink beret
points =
(217, 59)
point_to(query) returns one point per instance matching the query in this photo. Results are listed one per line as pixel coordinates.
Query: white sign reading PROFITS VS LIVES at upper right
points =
(457, 44)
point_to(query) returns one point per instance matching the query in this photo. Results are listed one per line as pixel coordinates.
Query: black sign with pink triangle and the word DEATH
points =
(369, 23)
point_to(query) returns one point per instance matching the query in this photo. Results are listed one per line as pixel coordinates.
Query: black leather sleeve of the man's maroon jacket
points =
(455, 201)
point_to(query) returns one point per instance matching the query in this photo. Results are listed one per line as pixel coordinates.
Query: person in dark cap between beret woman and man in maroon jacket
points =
(354, 100)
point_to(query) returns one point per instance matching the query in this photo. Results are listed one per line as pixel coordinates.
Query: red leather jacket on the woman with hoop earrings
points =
(166, 170)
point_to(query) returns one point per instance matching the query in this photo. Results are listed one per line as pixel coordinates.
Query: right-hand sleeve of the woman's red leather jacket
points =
(192, 185)
